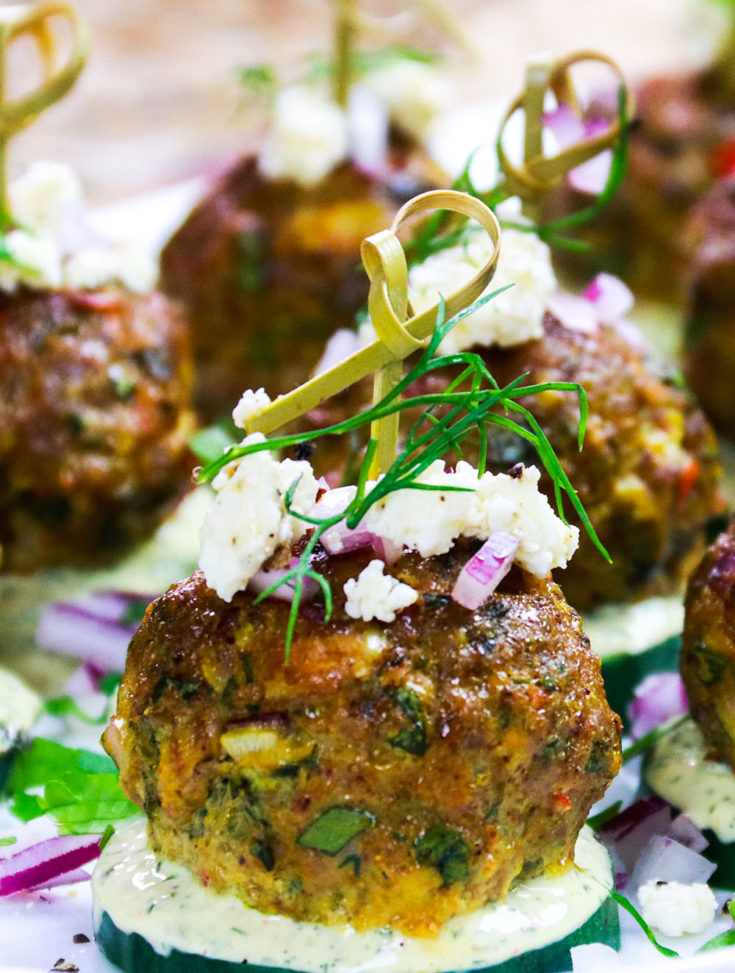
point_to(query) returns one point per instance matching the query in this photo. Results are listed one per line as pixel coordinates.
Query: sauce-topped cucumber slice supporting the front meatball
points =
(153, 917)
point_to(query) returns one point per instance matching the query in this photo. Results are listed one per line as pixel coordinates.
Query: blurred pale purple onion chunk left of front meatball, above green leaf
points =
(89, 628)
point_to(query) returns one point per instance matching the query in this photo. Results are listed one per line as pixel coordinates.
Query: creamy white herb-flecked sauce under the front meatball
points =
(162, 902)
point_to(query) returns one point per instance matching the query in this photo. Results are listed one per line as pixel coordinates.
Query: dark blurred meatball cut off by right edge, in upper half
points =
(709, 362)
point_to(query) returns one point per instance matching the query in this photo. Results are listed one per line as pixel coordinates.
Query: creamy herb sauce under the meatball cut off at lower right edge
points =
(679, 771)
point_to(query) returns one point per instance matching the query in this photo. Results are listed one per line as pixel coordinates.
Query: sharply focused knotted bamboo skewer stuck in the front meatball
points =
(388, 304)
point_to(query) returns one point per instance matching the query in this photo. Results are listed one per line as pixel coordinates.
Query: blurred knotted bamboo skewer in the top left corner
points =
(16, 113)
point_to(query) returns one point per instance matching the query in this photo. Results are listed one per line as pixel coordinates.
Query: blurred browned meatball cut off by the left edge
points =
(94, 420)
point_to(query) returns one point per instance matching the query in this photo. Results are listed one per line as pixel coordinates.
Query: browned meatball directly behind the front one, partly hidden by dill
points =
(648, 474)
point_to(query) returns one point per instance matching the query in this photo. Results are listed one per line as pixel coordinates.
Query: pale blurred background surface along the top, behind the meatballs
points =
(159, 100)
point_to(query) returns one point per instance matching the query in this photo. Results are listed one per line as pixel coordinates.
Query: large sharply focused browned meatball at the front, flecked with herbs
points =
(459, 749)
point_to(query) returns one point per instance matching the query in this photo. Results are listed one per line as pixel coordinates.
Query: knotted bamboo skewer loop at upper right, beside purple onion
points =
(539, 173)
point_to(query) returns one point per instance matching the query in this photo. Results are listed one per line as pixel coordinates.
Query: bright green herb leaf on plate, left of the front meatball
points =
(81, 789)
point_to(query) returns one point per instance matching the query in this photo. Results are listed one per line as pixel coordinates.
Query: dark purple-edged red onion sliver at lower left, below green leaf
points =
(47, 861)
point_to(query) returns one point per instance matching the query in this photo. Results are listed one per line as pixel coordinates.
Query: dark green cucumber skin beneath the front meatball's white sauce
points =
(133, 954)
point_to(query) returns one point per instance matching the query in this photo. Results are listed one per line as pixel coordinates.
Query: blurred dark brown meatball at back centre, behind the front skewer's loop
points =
(267, 270)
